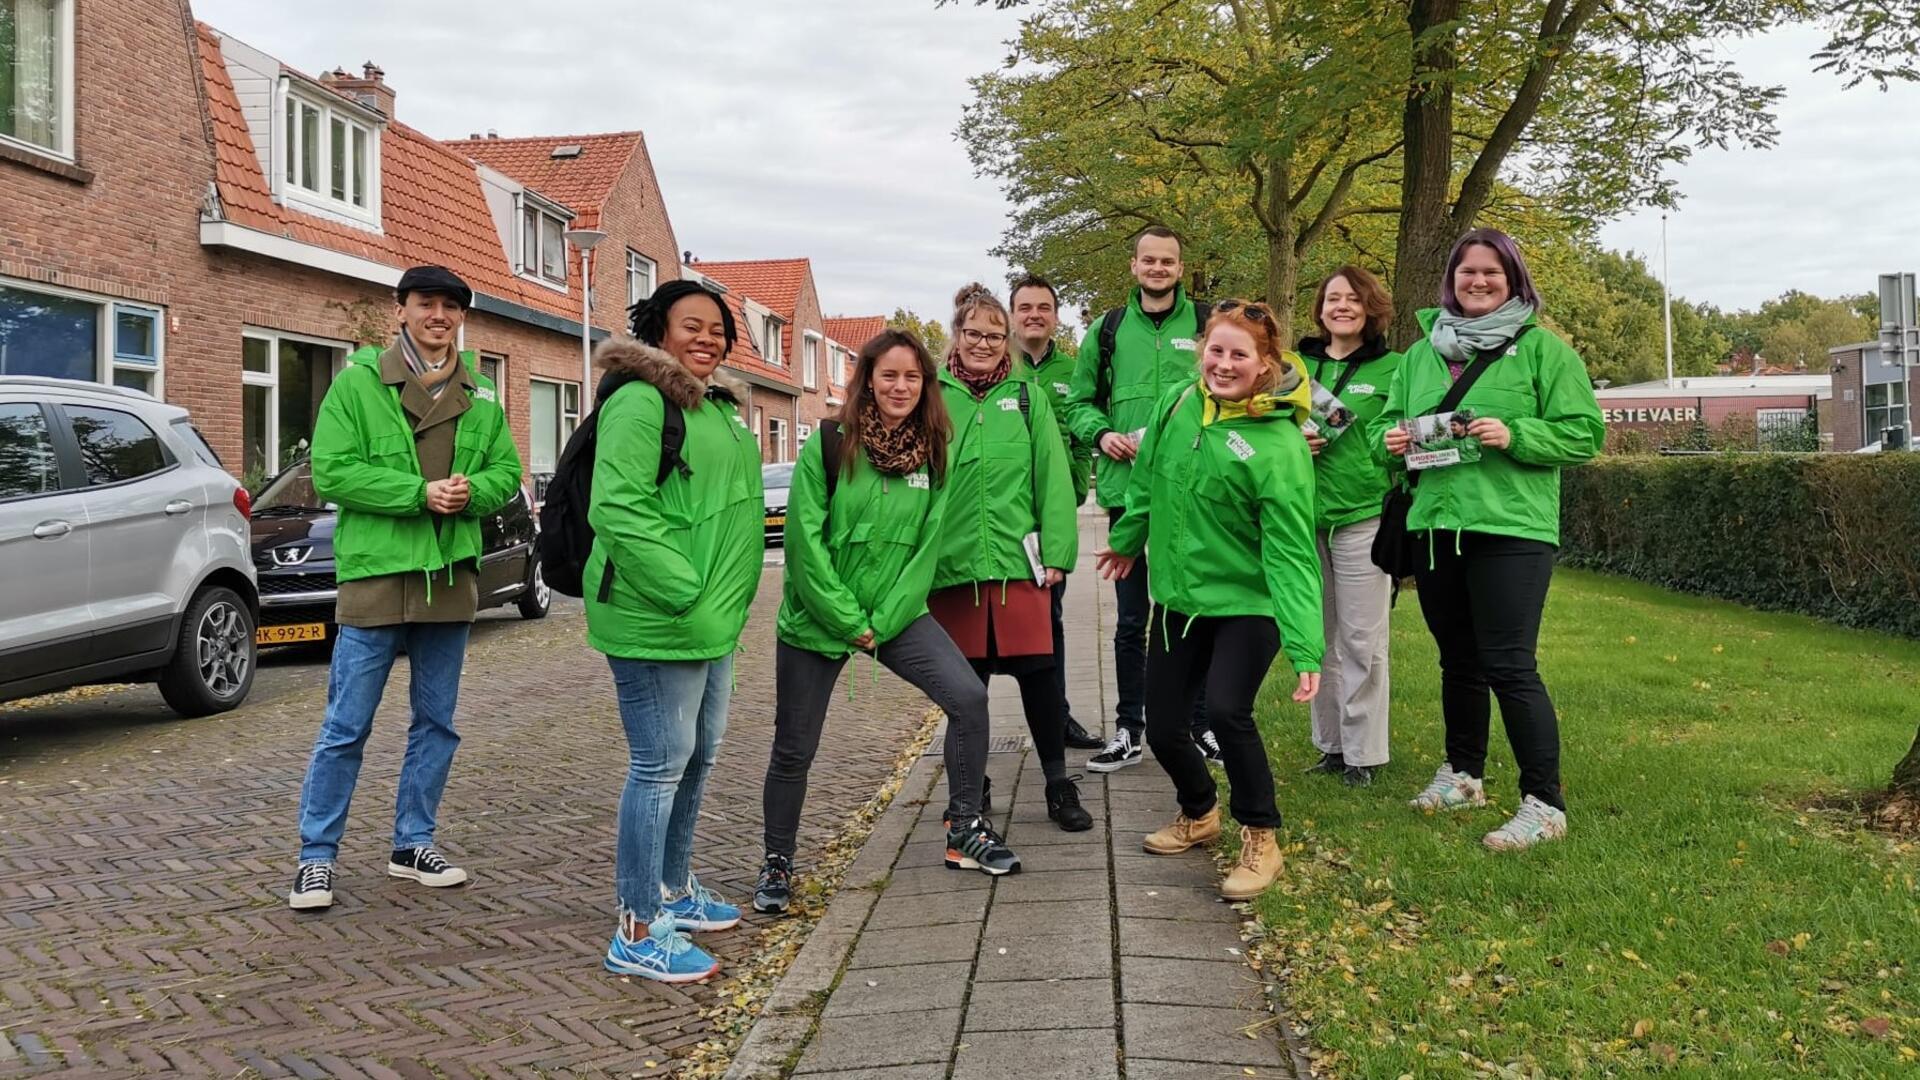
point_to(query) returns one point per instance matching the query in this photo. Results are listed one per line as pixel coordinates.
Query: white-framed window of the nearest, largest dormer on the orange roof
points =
(329, 159)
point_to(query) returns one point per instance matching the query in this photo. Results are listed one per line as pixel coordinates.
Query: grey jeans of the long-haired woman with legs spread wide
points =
(804, 685)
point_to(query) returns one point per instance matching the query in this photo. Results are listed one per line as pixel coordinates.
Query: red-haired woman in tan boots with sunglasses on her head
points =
(1224, 497)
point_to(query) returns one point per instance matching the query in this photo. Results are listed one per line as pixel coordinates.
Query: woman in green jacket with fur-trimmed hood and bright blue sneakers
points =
(671, 577)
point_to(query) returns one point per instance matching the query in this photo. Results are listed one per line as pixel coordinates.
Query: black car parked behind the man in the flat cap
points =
(295, 556)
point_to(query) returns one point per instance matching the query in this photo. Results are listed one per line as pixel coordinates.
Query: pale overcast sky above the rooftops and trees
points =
(827, 130)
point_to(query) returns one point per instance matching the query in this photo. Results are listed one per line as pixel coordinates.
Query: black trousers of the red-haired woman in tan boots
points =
(1226, 660)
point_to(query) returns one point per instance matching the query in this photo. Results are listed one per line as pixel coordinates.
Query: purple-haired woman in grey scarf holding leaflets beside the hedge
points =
(1493, 526)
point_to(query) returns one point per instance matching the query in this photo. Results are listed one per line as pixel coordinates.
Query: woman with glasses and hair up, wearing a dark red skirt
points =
(1011, 489)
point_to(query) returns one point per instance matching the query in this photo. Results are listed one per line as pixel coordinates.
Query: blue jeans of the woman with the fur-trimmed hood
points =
(675, 714)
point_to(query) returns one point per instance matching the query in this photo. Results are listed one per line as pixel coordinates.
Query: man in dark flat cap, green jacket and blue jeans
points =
(414, 449)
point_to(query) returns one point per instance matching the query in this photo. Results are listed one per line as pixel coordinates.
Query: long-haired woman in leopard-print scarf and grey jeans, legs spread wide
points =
(863, 537)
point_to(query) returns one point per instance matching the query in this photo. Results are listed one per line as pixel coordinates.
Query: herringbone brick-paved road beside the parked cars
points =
(145, 864)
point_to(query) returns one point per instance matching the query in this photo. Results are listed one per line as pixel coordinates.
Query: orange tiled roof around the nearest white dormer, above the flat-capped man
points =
(433, 209)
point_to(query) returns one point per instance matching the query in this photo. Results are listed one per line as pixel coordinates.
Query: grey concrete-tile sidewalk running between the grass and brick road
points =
(1095, 962)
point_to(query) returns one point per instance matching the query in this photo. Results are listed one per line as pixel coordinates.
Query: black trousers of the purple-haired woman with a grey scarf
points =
(1483, 606)
